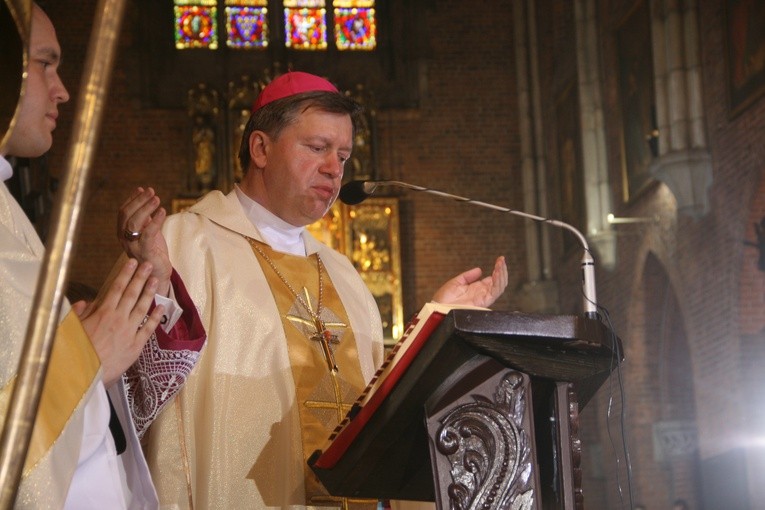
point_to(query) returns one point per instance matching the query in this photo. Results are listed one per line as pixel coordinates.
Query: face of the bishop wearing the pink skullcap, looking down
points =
(301, 170)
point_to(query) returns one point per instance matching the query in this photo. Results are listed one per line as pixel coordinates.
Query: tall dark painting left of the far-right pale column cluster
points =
(638, 105)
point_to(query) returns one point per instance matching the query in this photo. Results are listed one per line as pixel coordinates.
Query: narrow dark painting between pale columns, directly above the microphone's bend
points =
(569, 159)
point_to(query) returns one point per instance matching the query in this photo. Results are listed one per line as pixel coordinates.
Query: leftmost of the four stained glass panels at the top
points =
(196, 24)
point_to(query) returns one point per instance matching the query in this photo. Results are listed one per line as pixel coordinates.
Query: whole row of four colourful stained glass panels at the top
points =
(306, 25)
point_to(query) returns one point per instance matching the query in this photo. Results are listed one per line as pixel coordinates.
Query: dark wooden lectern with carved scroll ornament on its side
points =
(486, 415)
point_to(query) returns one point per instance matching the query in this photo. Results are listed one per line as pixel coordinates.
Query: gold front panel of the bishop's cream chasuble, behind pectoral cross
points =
(322, 352)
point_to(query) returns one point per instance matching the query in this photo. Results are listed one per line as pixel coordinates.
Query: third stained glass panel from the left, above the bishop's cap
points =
(305, 24)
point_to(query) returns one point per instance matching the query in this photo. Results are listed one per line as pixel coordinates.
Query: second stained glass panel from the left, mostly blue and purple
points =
(247, 23)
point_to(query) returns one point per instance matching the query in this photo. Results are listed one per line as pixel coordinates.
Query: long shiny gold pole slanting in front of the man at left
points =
(50, 288)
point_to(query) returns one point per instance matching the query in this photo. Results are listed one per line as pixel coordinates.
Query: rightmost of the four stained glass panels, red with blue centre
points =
(355, 26)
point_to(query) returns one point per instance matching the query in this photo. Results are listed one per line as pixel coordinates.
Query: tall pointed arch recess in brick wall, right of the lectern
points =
(661, 400)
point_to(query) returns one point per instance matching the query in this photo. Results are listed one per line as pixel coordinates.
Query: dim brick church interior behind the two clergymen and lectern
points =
(641, 123)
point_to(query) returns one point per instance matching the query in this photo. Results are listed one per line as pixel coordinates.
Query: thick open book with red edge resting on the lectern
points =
(395, 365)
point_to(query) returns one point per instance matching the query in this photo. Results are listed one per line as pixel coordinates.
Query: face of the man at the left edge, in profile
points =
(33, 133)
